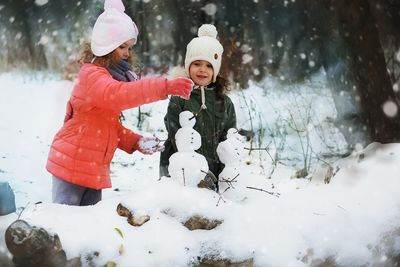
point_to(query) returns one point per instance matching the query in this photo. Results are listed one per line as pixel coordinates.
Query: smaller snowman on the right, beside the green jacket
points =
(230, 153)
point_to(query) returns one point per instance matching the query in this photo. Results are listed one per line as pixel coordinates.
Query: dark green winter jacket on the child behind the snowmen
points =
(212, 123)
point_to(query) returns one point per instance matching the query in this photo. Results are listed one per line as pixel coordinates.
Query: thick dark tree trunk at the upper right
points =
(368, 66)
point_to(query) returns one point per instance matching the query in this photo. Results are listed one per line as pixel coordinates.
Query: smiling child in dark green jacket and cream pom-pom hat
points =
(214, 110)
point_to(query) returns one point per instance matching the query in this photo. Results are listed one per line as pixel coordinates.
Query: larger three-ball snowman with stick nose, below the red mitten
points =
(187, 166)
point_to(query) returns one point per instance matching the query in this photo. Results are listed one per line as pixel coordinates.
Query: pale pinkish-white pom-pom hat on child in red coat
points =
(112, 28)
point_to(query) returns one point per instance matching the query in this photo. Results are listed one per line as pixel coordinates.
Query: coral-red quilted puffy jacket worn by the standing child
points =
(82, 150)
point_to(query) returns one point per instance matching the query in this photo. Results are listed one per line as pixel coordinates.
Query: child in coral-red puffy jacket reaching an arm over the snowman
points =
(81, 152)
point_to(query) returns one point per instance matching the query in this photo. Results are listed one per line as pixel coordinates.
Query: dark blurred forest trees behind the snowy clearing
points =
(356, 44)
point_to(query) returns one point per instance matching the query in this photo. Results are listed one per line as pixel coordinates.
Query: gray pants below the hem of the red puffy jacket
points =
(71, 194)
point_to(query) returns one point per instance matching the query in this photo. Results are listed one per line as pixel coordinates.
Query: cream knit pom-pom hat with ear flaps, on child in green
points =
(205, 47)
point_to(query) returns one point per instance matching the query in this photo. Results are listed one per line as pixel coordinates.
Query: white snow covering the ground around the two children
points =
(304, 220)
